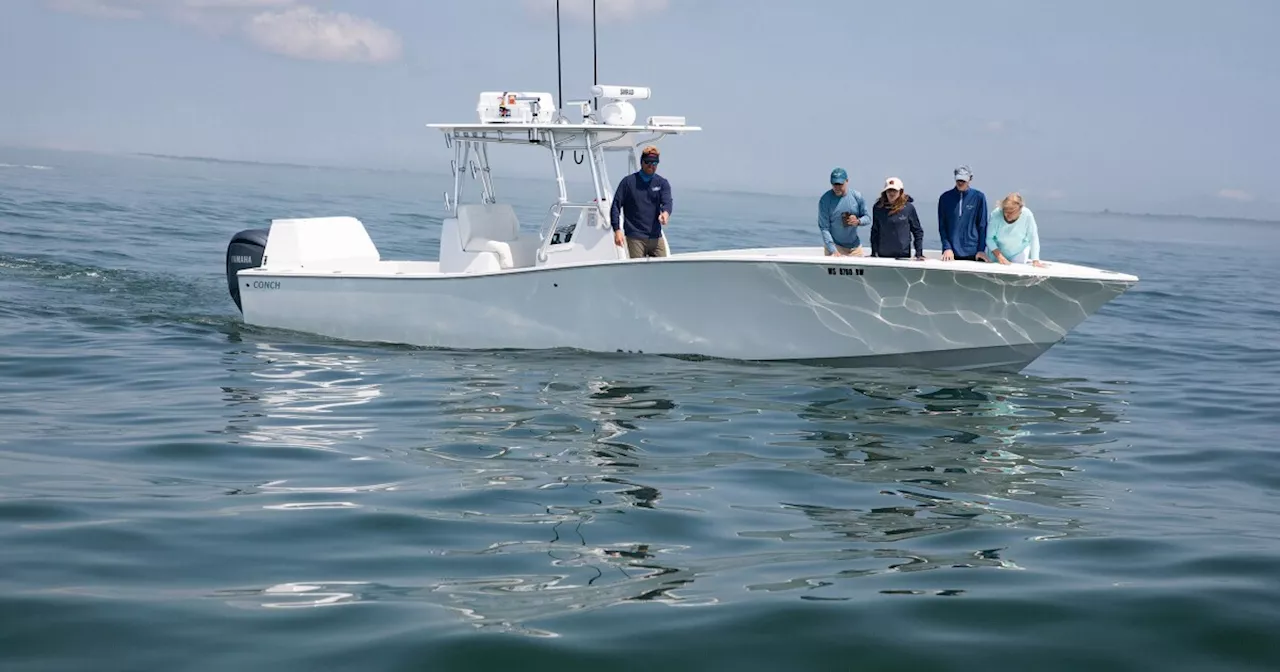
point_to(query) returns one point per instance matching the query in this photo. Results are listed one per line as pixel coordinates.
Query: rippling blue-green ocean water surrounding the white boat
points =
(182, 492)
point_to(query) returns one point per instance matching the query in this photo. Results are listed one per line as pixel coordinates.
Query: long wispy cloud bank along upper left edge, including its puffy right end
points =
(285, 28)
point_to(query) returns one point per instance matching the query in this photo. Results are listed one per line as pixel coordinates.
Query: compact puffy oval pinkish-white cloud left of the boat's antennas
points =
(304, 33)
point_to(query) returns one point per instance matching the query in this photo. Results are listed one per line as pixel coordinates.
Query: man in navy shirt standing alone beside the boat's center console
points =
(644, 200)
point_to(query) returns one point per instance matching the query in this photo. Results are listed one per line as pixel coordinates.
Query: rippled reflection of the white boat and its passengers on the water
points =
(555, 490)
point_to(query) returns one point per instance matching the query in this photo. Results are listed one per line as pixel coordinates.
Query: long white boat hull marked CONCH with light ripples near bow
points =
(866, 313)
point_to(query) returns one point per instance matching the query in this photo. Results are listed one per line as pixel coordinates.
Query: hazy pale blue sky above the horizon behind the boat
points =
(1139, 107)
